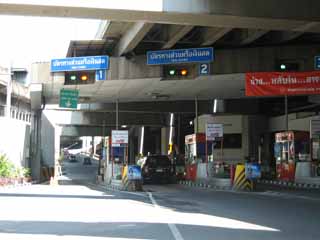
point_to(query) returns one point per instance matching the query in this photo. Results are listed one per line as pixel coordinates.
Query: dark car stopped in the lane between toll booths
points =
(156, 168)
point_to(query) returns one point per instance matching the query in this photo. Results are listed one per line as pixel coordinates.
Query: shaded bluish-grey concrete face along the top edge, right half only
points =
(284, 9)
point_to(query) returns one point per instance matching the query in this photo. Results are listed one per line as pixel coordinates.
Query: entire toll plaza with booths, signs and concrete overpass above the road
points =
(166, 76)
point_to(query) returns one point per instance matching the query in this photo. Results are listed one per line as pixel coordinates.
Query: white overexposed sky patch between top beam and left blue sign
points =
(24, 40)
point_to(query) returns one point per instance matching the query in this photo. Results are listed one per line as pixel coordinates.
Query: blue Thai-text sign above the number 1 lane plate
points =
(79, 63)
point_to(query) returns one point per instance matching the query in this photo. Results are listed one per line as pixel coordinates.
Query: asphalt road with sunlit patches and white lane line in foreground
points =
(86, 211)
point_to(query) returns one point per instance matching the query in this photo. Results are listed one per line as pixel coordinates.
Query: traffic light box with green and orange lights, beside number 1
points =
(79, 77)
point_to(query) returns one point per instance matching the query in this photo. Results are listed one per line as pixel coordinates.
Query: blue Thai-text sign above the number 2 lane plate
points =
(180, 56)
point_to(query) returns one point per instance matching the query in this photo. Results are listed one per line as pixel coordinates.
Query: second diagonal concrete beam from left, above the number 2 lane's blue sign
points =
(175, 33)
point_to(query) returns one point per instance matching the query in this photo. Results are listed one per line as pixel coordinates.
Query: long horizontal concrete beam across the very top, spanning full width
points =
(284, 15)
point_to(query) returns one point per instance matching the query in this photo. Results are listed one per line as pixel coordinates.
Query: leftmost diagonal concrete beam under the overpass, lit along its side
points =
(132, 37)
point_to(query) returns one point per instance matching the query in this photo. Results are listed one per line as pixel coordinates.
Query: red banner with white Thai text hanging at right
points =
(282, 83)
